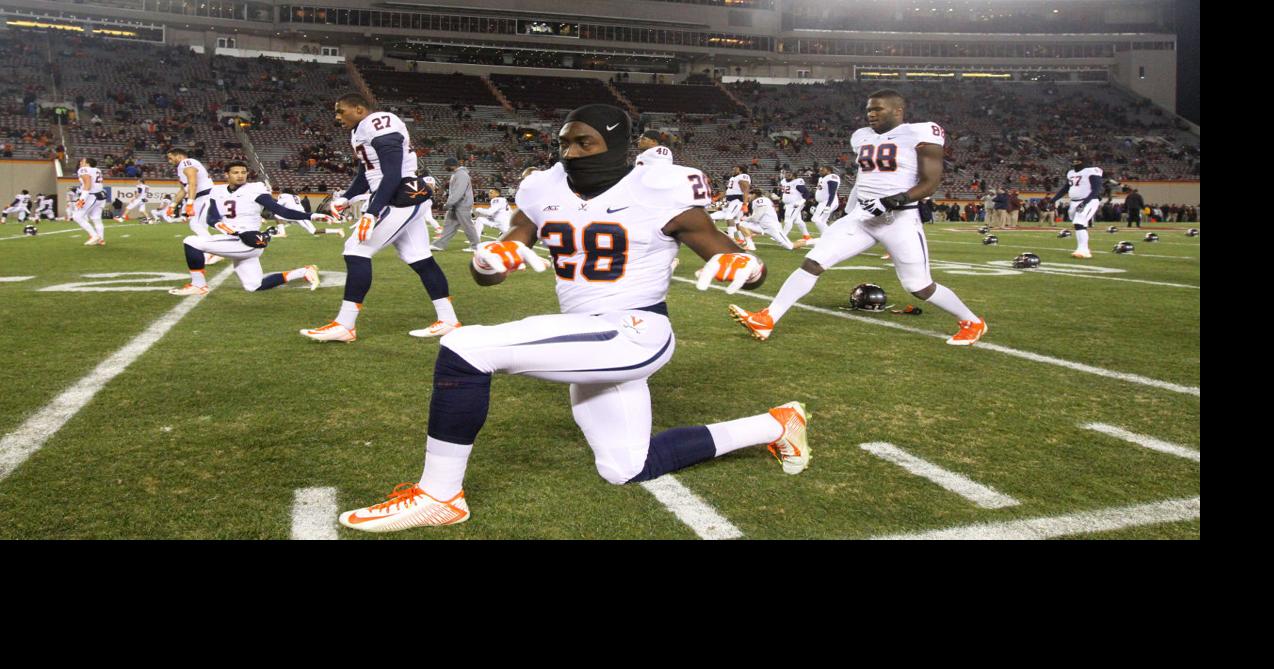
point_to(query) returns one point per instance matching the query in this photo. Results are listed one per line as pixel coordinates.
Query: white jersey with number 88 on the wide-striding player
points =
(889, 162)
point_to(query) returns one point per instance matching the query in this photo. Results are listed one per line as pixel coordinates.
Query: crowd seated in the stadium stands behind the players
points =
(128, 104)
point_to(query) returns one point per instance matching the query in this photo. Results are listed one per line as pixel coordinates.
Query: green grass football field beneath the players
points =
(211, 431)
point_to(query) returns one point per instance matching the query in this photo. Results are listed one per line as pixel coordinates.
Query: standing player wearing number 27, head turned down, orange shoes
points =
(393, 217)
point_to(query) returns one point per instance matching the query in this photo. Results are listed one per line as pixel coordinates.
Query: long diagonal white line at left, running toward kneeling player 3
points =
(31, 436)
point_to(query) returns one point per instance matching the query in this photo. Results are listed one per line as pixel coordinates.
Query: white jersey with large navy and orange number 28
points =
(611, 253)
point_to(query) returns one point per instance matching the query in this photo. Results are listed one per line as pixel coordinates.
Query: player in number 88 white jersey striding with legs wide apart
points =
(899, 165)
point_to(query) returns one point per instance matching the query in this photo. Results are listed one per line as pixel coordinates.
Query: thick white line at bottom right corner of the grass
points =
(1084, 523)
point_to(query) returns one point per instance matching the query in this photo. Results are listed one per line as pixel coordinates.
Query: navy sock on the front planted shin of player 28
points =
(462, 397)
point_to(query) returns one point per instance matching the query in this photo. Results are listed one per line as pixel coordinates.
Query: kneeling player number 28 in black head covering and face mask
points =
(612, 247)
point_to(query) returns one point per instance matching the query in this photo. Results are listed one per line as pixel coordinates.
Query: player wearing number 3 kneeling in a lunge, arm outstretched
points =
(235, 212)
